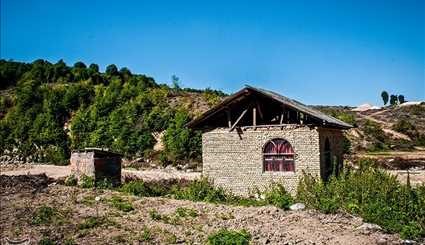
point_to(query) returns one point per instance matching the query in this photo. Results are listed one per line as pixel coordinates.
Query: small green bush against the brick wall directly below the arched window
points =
(277, 195)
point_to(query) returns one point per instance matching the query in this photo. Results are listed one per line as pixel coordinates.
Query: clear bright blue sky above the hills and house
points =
(319, 52)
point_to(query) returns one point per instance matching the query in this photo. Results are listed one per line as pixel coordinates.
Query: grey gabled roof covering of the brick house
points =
(327, 120)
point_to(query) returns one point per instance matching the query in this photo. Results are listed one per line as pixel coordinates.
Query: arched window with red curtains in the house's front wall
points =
(278, 156)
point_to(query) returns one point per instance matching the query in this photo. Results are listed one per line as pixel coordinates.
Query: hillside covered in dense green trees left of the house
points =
(47, 110)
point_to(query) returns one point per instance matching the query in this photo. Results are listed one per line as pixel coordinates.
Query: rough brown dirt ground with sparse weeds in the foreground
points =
(20, 197)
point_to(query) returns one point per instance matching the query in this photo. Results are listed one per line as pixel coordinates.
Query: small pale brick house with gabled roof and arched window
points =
(256, 136)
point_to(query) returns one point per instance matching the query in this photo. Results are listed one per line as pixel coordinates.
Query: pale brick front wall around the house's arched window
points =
(235, 161)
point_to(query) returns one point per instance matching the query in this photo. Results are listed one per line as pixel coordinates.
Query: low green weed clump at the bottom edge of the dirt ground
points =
(229, 237)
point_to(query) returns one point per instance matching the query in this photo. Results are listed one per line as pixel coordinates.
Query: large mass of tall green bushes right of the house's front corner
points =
(371, 193)
